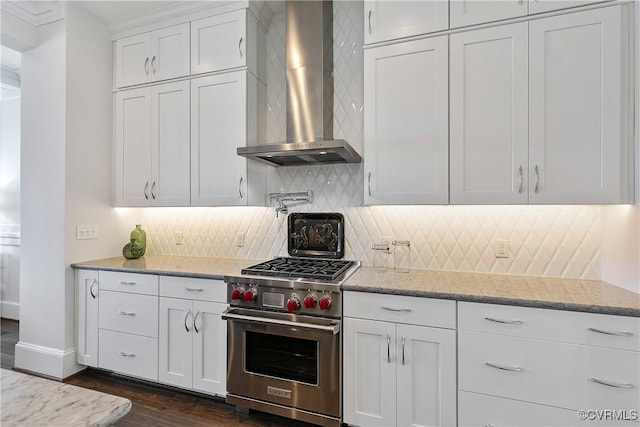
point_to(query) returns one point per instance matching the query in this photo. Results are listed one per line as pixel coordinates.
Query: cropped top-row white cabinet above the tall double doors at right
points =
(472, 12)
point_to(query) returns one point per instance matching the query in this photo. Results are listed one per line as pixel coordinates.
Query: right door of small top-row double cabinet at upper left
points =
(170, 48)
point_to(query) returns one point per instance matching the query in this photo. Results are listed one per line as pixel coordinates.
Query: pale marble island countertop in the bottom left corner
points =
(28, 400)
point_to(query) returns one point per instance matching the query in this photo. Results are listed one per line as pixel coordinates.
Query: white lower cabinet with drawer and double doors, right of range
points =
(396, 373)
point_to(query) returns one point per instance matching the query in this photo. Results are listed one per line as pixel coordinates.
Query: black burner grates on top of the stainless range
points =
(300, 268)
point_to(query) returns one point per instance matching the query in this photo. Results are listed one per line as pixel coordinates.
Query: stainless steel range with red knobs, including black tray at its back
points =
(283, 325)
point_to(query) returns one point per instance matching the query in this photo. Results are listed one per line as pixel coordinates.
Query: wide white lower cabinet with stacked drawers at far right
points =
(522, 366)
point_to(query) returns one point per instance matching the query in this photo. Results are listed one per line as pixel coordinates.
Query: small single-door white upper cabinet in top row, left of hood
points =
(226, 41)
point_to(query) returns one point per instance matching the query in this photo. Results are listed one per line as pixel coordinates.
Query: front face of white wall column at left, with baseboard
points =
(42, 273)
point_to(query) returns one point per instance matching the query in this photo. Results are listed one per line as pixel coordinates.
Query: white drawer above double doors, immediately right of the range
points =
(401, 309)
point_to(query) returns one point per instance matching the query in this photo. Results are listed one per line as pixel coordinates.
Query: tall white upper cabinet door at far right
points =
(575, 116)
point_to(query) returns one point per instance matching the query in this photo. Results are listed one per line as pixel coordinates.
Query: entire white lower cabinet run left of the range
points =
(159, 328)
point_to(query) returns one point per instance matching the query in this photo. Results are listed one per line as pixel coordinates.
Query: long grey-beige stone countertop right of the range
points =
(593, 296)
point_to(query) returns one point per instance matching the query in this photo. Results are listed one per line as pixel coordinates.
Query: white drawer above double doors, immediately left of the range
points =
(195, 289)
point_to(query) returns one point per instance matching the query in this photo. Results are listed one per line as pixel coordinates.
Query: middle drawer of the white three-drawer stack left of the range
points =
(131, 313)
